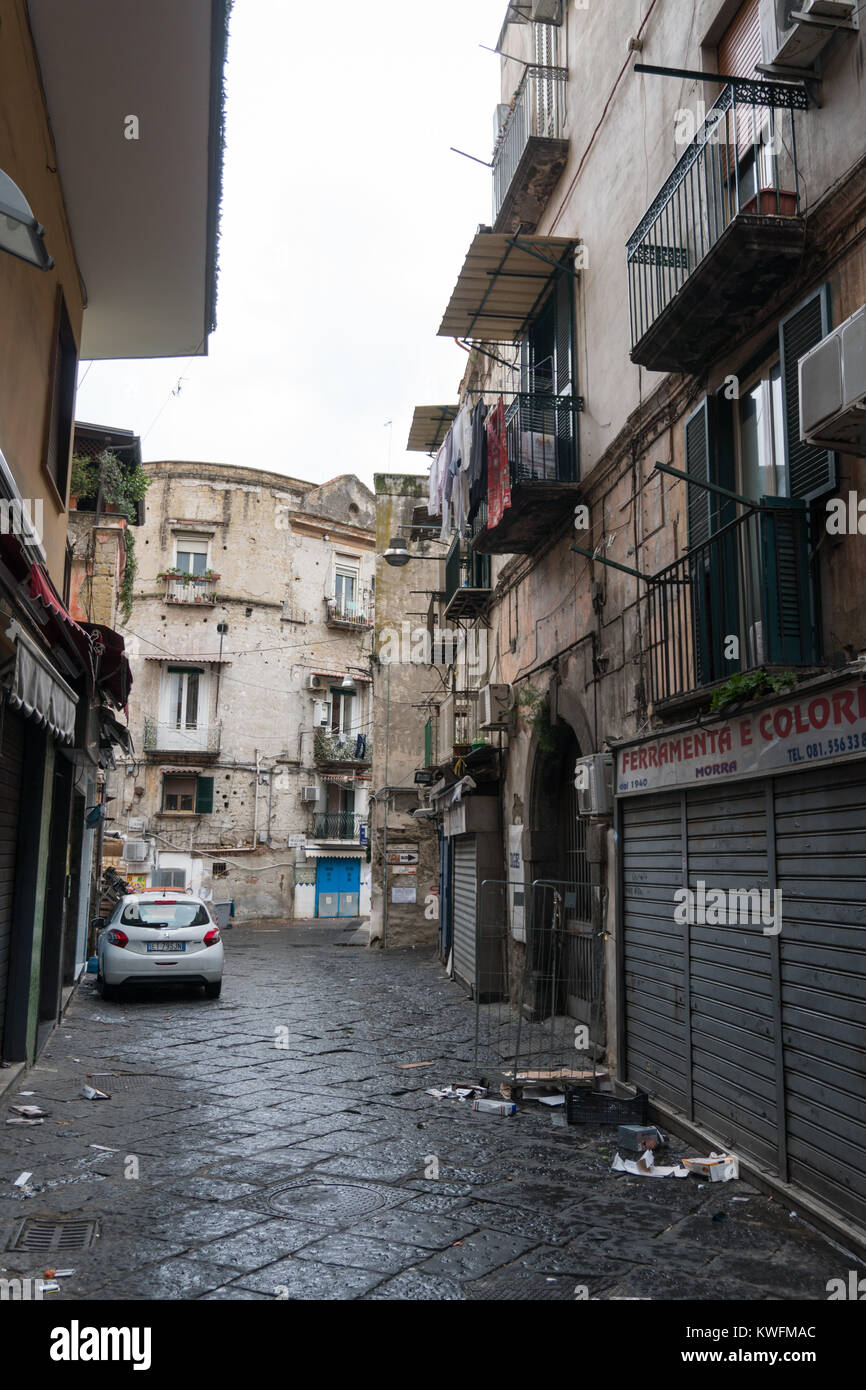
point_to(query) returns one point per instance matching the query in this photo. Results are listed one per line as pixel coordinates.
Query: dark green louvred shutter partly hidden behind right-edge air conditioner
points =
(812, 471)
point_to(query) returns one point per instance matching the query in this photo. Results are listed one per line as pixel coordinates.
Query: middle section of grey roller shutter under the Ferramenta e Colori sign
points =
(732, 985)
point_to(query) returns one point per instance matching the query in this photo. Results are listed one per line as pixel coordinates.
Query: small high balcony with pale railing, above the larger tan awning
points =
(532, 151)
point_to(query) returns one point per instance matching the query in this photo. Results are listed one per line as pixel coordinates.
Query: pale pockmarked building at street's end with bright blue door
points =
(250, 640)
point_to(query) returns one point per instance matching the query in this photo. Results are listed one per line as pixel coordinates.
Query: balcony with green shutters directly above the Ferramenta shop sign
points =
(753, 580)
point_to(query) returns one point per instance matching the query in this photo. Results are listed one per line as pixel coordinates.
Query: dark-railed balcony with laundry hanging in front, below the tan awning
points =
(543, 444)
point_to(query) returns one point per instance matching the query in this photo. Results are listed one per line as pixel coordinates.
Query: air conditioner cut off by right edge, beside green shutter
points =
(833, 390)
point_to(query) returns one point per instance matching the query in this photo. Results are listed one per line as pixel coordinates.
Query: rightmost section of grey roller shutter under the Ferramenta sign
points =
(822, 874)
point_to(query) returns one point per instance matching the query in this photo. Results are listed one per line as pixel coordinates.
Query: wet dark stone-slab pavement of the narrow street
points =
(227, 1167)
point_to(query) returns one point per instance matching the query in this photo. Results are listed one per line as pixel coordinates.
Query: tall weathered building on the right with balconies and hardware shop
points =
(667, 559)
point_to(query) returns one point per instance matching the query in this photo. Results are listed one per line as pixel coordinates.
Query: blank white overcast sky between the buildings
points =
(345, 223)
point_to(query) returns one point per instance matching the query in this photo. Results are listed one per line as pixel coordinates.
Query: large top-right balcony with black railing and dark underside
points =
(725, 233)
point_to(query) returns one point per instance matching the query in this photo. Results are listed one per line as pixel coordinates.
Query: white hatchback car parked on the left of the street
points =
(158, 938)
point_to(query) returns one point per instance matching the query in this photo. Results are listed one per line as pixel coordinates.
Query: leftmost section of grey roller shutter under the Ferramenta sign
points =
(654, 945)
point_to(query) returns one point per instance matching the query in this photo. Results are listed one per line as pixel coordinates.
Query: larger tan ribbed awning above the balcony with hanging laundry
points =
(504, 284)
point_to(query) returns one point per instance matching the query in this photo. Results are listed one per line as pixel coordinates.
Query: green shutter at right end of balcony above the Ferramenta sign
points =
(787, 593)
